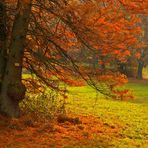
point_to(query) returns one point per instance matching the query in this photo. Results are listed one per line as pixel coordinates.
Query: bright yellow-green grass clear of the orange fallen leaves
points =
(131, 116)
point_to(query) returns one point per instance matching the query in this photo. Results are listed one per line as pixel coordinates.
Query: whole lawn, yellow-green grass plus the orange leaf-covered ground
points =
(104, 123)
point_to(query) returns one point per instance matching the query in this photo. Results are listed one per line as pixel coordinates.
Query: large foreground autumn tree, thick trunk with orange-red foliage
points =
(41, 36)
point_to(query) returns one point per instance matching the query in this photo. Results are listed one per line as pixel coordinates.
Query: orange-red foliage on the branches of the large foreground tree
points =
(110, 29)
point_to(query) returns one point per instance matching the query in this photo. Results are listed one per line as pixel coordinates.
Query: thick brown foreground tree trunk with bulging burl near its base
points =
(12, 89)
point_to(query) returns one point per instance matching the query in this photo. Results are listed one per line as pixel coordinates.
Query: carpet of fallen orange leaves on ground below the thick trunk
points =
(30, 131)
